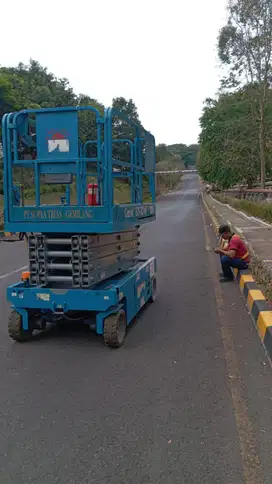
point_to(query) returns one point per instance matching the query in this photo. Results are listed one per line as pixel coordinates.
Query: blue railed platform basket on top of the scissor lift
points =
(46, 146)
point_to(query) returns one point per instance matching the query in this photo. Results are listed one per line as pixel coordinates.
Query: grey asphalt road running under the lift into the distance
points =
(187, 399)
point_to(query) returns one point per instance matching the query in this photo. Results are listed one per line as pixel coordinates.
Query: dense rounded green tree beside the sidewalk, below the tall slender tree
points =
(229, 140)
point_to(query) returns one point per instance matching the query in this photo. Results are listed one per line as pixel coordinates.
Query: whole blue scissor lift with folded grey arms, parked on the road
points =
(84, 260)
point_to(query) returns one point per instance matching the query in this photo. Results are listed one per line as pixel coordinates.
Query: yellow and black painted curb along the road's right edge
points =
(257, 304)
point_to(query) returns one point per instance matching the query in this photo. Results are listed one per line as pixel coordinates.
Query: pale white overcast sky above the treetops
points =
(162, 54)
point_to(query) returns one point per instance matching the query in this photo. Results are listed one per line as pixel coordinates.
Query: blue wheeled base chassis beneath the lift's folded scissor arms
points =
(114, 303)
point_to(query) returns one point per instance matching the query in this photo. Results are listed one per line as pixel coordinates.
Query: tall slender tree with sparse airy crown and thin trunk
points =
(245, 47)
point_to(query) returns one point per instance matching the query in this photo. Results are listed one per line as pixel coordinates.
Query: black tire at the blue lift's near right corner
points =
(115, 327)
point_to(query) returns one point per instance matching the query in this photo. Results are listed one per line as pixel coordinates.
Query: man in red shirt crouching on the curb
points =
(235, 255)
